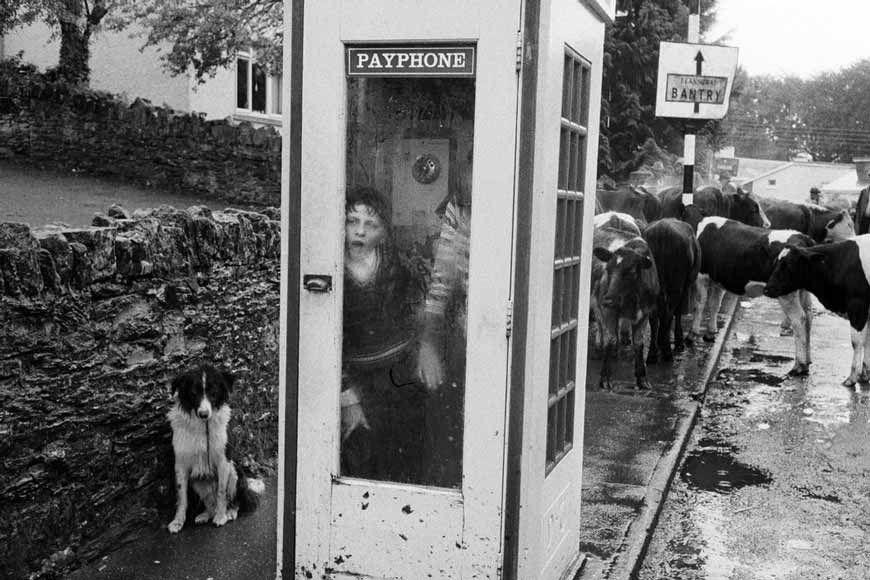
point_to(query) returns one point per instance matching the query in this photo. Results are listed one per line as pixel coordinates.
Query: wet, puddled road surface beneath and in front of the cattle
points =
(776, 480)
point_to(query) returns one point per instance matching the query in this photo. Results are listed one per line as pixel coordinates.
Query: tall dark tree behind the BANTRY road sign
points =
(631, 50)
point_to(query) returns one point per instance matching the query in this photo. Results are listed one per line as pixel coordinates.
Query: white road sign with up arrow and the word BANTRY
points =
(694, 80)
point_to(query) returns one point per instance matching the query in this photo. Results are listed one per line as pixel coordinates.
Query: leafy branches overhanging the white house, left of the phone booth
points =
(206, 36)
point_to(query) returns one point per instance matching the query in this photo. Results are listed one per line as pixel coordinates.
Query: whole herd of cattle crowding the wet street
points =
(657, 258)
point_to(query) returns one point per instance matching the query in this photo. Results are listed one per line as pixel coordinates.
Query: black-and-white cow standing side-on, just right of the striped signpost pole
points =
(733, 257)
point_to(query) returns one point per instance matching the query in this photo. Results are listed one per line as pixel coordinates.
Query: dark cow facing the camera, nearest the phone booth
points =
(624, 292)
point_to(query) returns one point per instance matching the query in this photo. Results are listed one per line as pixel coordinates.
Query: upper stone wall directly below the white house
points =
(50, 124)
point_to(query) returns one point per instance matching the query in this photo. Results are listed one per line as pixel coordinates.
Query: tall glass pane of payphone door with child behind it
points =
(408, 210)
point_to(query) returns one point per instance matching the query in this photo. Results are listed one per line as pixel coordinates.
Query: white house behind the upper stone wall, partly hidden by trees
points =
(243, 92)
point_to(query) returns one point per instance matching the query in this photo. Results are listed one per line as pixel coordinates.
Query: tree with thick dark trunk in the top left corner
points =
(74, 21)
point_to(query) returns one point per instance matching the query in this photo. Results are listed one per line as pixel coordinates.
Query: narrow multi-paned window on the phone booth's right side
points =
(564, 325)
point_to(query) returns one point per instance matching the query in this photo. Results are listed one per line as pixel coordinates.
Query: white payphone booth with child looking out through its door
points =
(441, 165)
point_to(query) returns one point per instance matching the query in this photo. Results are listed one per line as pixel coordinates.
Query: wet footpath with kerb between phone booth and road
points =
(632, 444)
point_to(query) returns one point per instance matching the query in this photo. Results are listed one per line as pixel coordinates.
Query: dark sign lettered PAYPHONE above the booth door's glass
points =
(410, 61)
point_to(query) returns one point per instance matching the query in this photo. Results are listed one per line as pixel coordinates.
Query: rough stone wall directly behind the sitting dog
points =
(94, 323)
